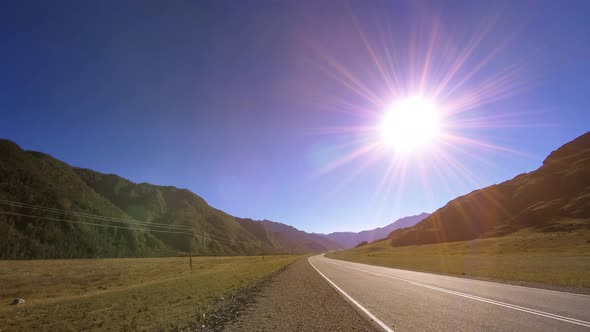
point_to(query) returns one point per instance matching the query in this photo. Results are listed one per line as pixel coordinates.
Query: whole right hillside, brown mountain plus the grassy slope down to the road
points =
(531, 230)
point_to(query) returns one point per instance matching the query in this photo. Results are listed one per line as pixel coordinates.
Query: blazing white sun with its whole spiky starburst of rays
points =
(459, 75)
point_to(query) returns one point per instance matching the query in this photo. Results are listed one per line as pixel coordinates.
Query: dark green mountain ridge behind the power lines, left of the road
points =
(54, 191)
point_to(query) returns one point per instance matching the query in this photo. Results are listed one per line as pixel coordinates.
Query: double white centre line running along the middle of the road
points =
(477, 298)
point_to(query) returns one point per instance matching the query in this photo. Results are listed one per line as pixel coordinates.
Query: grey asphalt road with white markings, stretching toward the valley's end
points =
(401, 300)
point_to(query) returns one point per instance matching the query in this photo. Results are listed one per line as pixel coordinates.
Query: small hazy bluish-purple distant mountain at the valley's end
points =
(352, 239)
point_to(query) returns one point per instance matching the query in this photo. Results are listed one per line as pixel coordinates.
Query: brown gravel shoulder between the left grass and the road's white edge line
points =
(299, 299)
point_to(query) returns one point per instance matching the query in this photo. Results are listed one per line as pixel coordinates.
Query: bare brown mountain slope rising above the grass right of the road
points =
(555, 197)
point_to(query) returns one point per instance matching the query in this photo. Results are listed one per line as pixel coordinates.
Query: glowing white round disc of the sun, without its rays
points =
(410, 124)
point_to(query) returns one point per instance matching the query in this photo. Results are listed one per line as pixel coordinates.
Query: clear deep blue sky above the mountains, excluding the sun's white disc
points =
(267, 109)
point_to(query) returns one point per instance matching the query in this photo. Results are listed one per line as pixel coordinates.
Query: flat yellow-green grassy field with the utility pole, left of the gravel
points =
(145, 294)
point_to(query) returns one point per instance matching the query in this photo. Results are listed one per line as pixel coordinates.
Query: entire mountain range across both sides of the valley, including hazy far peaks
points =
(58, 206)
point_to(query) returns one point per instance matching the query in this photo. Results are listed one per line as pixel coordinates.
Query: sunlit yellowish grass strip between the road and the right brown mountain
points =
(555, 258)
